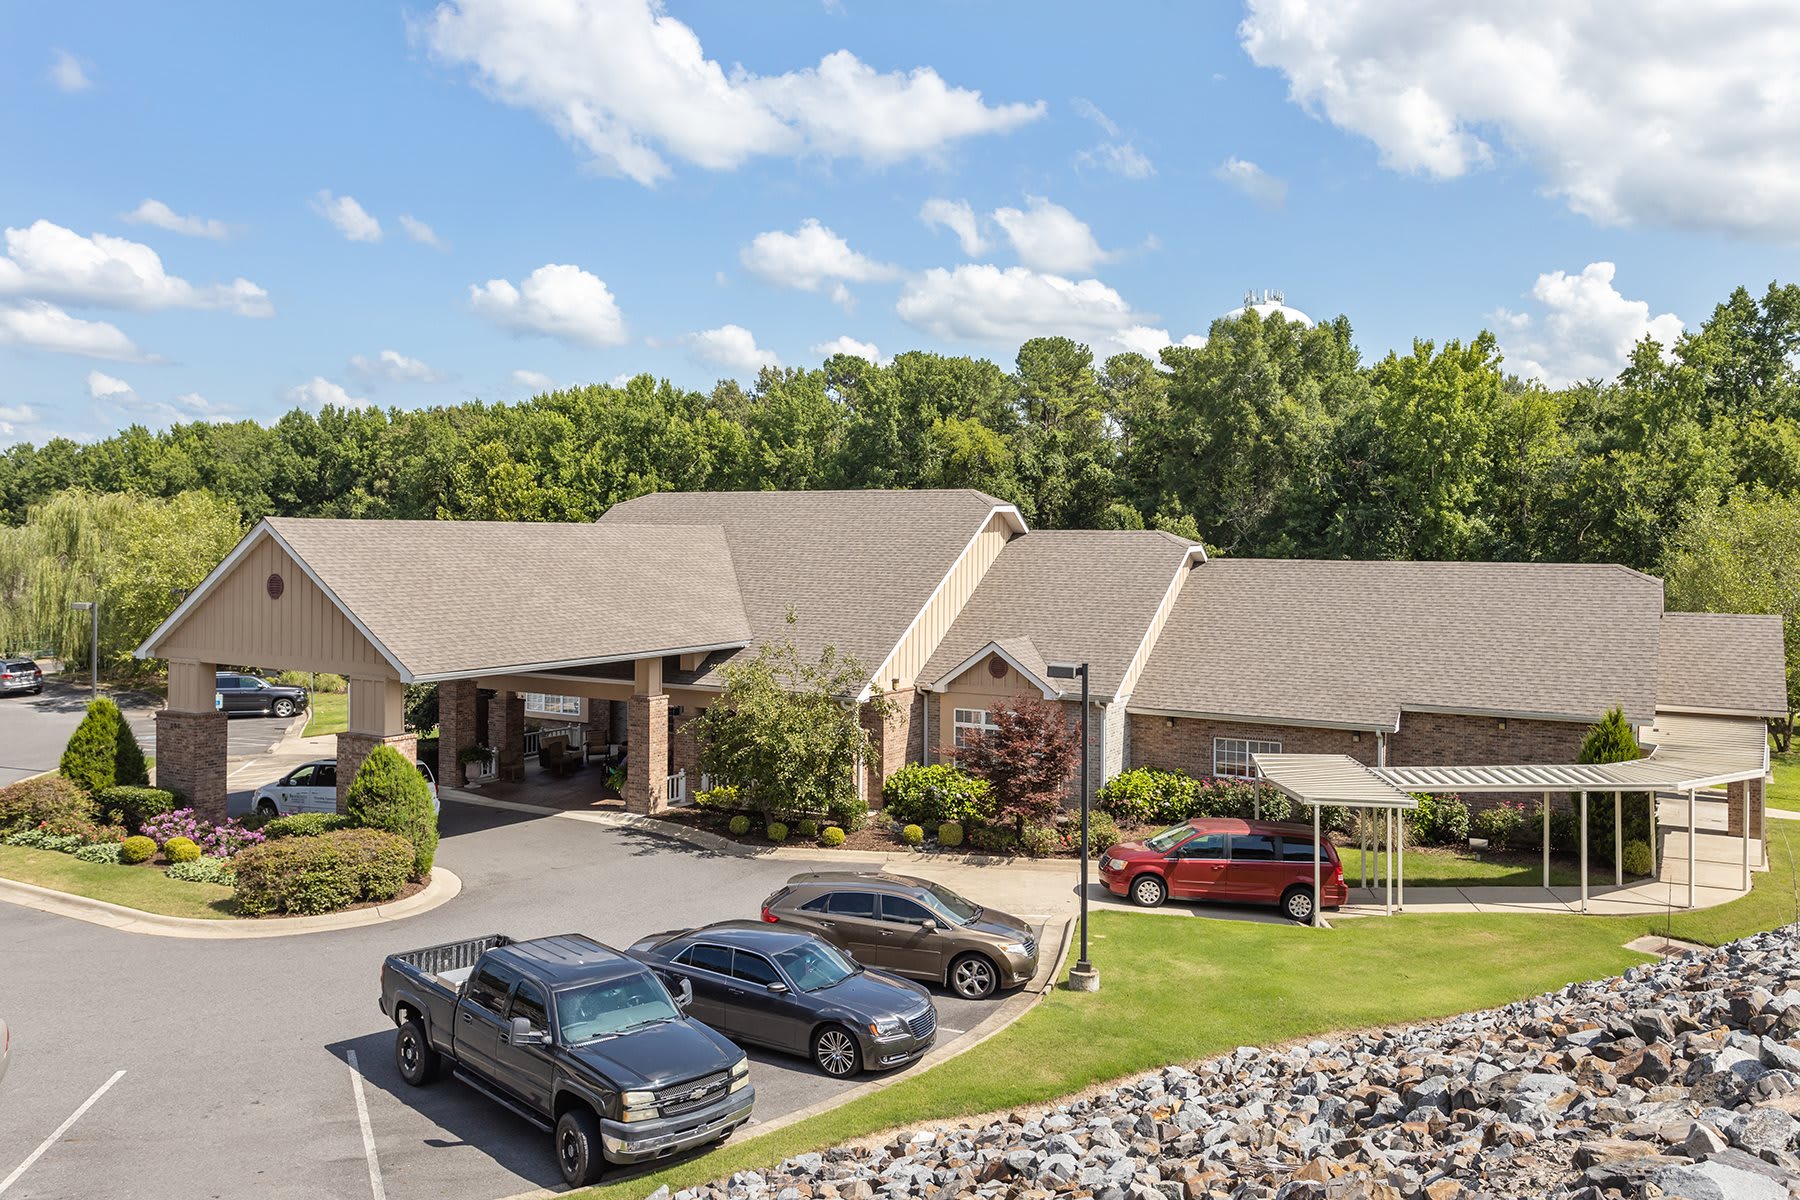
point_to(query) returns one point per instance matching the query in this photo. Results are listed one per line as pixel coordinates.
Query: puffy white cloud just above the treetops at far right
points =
(1585, 328)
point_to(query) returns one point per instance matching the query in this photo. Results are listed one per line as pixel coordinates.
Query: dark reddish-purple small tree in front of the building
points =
(1027, 758)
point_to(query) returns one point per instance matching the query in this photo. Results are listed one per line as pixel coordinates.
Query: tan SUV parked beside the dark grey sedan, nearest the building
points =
(910, 927)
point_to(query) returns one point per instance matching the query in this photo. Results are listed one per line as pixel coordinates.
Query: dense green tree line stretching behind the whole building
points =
(1270, 440)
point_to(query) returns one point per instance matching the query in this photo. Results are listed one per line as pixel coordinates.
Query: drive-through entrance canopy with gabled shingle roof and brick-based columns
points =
(584, 611)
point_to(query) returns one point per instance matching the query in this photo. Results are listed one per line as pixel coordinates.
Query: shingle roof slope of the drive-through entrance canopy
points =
(523, 595)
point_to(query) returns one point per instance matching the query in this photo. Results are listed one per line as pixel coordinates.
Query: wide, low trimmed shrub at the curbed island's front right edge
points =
(325, 873)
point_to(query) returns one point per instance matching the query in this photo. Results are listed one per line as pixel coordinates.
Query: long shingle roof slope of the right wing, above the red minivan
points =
(1356, 643)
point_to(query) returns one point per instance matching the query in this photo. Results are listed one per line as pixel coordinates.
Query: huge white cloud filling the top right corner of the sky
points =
(1677, 114)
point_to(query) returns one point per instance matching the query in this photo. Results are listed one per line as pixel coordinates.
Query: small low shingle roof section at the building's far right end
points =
(1722, 663)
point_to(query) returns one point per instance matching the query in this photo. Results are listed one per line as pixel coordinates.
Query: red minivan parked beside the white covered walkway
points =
(1241, 863)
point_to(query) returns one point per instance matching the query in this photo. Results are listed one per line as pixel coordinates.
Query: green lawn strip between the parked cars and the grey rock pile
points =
(1176, 990)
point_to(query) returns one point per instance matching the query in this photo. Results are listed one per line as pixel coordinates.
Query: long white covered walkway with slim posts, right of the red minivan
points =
(1725, 758)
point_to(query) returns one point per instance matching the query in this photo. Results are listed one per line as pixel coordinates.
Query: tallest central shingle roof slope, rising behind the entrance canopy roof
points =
(856, 568)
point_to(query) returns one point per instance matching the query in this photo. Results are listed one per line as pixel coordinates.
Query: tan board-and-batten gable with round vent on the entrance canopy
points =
(240, 625)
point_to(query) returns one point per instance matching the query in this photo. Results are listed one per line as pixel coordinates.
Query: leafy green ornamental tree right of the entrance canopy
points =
(787, 733)
